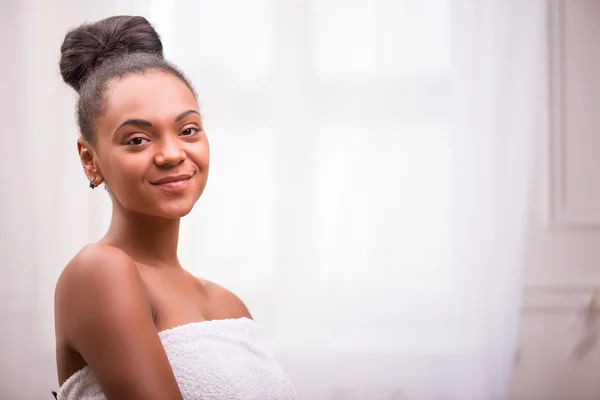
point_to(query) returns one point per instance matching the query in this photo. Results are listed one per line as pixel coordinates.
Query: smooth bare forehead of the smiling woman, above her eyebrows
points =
(150, 95)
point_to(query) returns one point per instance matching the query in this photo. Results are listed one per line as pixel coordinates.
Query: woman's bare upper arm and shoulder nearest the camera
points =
(104, 314)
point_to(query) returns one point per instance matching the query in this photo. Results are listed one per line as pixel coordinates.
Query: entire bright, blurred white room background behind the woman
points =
(403, 192)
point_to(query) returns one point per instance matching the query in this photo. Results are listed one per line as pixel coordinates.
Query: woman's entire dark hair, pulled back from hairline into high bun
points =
(92, 54)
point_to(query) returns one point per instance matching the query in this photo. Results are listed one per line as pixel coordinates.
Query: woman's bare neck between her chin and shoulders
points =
(147, 239)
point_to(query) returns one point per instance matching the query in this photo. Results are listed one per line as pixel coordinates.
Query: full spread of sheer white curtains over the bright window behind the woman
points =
(369, 186)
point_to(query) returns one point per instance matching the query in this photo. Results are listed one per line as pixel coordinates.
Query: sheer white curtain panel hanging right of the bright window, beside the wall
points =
(498, 56)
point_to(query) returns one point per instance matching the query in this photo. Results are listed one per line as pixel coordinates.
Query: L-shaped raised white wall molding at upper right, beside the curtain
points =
(561, 214)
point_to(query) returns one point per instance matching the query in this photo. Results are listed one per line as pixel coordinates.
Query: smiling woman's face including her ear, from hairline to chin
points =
(151, 149)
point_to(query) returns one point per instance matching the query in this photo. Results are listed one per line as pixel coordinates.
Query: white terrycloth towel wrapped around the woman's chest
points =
(218, 359)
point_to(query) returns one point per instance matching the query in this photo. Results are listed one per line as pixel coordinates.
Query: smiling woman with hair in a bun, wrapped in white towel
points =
(131, 323)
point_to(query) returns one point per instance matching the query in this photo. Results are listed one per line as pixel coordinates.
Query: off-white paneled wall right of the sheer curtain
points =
(564, 270)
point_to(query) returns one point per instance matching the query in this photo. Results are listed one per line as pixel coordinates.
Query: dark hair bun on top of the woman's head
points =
(89, 45)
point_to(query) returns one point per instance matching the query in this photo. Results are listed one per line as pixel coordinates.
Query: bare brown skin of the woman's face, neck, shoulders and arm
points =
(115, 296)
